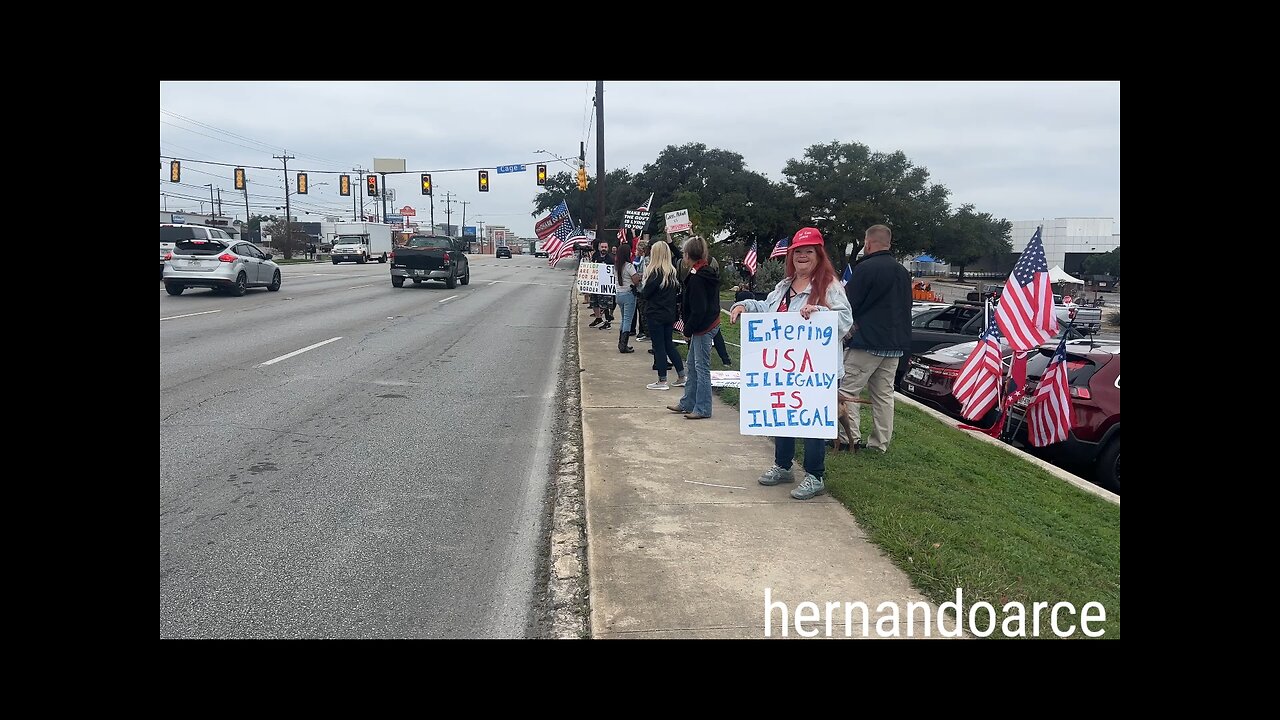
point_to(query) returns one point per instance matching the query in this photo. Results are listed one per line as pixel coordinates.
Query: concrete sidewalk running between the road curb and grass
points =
(683, 541)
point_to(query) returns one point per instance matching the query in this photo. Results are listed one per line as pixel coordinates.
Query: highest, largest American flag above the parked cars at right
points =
(1026, 311)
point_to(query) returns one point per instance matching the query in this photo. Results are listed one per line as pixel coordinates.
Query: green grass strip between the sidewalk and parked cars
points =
(957, 513)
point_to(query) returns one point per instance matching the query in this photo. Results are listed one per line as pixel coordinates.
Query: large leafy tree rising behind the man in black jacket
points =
(845, 189)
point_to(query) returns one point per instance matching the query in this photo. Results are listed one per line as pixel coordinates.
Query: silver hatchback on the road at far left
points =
(227, 266)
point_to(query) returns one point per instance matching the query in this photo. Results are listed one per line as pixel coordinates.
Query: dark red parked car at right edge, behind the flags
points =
(1094, 443)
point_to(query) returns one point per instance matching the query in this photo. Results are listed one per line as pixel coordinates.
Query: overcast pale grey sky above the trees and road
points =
(1018, 151)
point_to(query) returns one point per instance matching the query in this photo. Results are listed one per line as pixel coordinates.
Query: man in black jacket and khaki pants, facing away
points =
(880, 297)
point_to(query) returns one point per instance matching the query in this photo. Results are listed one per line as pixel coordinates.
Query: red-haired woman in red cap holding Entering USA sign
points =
(810, 286)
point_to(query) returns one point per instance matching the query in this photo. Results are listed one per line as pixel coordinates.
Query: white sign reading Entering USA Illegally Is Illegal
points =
(789, 375)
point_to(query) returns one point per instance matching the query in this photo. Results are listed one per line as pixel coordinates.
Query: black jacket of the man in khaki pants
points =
(880, 297)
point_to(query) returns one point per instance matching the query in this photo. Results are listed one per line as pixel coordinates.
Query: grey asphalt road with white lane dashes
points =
(387, 481)
